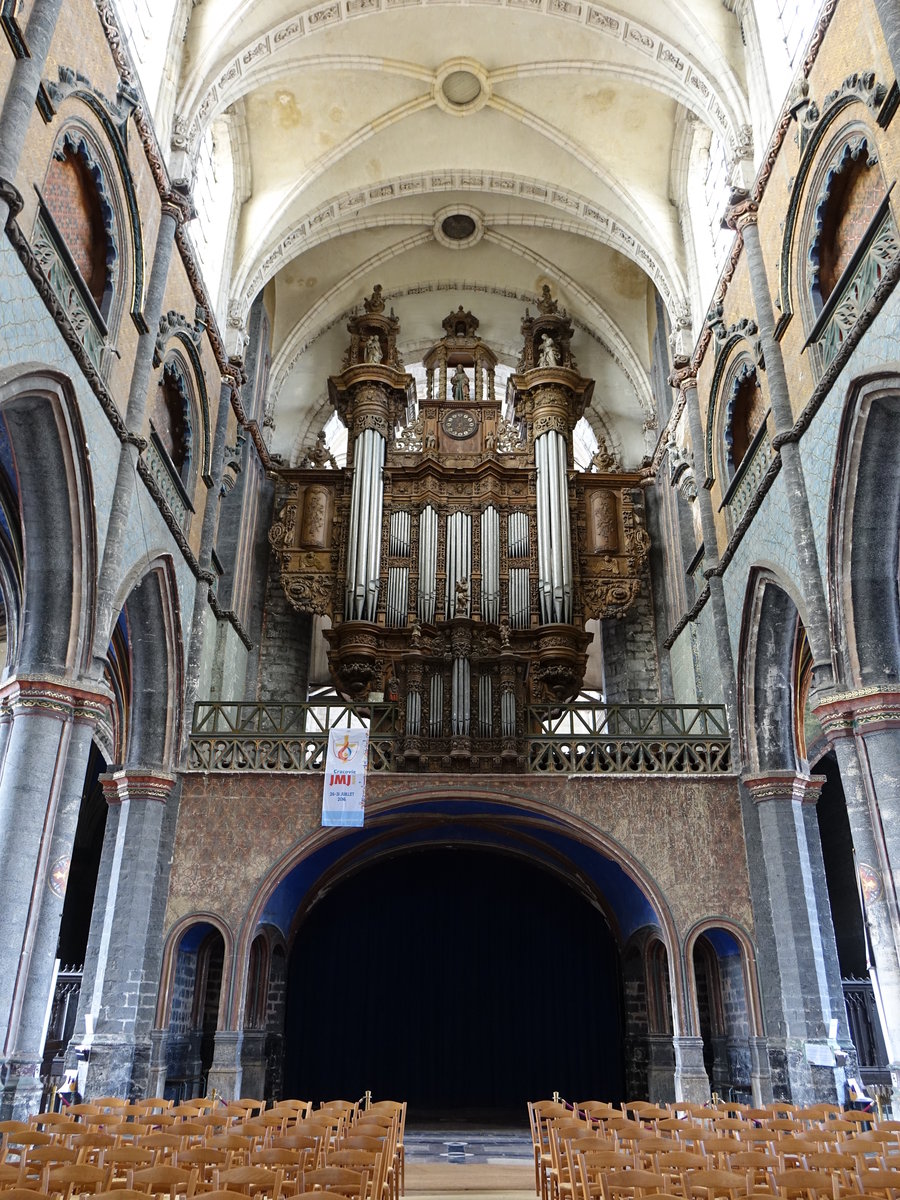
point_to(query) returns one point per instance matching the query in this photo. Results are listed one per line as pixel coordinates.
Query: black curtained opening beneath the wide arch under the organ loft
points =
(454, 979)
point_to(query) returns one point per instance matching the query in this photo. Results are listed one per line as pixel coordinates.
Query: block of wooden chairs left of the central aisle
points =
(200, 1149)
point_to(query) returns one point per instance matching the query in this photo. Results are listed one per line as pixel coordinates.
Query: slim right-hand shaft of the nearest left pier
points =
(27, 1033)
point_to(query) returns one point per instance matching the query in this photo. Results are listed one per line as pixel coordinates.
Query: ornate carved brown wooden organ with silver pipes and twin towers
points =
(459, 555)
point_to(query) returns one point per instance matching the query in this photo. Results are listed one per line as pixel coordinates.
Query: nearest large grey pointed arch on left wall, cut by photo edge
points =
(56, 513)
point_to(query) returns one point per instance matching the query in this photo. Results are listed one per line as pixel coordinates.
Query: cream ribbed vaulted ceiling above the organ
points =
(463, 153)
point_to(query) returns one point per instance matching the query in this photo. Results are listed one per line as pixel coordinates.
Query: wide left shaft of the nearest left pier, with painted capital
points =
(33, 772)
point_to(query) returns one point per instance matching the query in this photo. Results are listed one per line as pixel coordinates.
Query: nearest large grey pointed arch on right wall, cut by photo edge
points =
(863, 535)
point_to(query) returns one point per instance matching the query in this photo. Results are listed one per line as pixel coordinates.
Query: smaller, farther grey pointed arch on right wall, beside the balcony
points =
(770, 639)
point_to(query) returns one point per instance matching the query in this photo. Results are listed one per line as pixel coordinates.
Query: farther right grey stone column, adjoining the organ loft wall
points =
(808, 979)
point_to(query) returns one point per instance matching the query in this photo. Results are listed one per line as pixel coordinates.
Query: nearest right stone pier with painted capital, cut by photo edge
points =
(872, 801)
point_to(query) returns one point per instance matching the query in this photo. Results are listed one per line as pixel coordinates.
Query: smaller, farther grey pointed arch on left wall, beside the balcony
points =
(157, 665)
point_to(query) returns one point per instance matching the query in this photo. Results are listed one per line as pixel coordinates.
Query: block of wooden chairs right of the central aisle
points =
(602, 1153)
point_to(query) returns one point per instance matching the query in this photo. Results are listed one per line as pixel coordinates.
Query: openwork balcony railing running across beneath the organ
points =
(578, 739)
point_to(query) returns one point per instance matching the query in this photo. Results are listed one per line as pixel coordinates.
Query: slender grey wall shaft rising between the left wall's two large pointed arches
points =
(175, 209)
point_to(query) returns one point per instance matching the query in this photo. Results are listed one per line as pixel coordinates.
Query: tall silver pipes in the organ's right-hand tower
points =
(555, 566)
